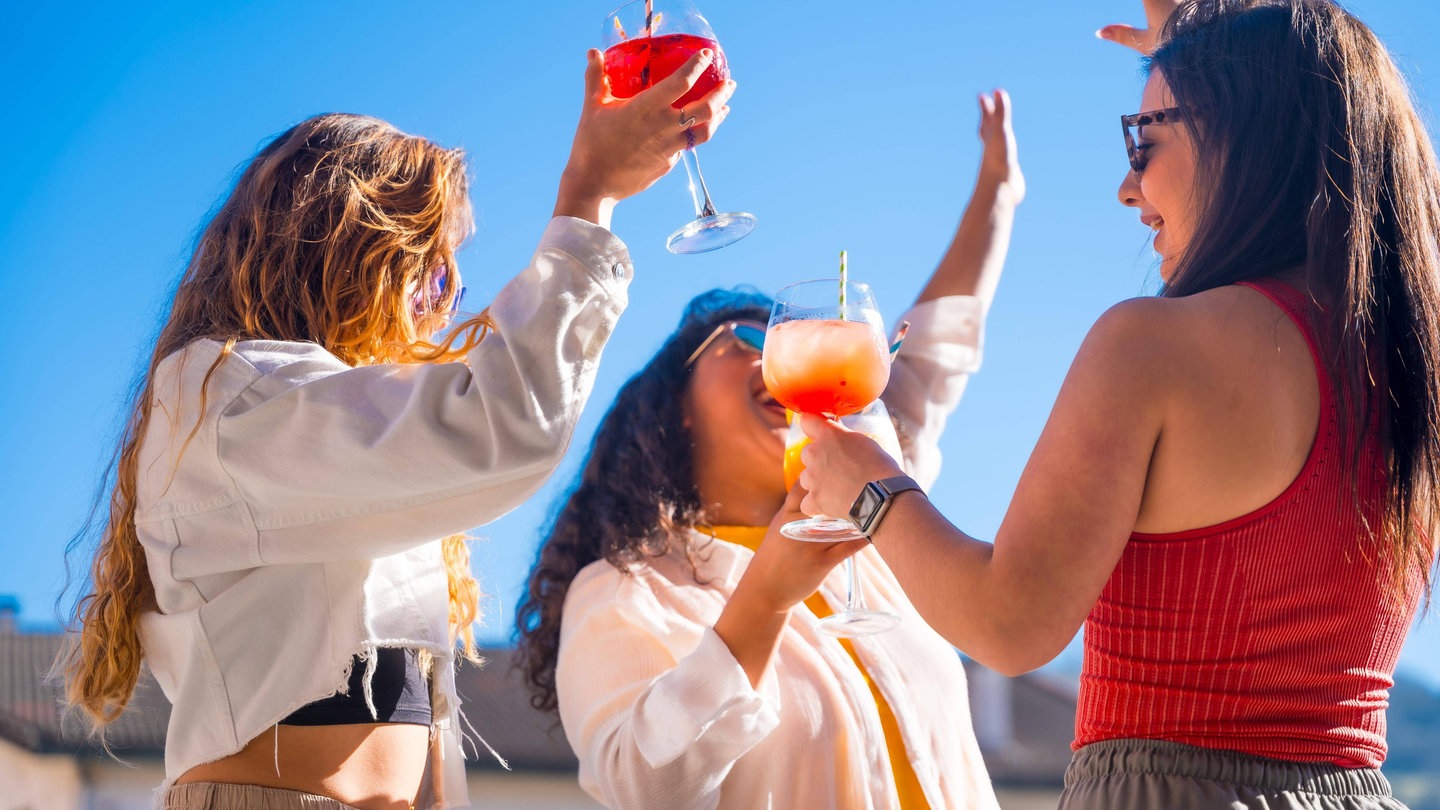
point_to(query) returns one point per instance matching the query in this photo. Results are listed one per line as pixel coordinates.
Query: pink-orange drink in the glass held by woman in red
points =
(826, 367)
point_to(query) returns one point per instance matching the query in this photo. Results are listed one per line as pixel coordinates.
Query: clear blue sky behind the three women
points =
(853, 128)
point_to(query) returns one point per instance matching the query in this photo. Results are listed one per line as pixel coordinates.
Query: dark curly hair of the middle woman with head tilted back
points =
(637, 494)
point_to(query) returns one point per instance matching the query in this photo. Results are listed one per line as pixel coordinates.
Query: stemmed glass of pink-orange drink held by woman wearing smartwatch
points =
(826, 354)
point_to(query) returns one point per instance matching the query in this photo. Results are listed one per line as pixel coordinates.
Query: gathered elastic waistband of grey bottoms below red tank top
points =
(1176, 759)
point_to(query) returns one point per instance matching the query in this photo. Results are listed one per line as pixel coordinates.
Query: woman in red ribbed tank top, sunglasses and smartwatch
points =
(1236, 491)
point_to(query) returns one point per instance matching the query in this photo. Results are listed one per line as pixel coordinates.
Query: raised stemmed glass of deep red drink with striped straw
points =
(644, 43)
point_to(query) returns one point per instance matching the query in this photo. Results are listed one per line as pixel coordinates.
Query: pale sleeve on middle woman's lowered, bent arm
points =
(653, 726)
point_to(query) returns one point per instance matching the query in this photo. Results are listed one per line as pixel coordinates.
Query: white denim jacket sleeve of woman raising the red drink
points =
(328, 462)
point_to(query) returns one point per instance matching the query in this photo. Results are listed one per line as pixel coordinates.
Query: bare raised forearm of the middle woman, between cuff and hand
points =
(977, 254)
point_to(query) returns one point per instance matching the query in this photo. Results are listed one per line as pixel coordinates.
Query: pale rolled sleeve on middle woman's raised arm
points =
(928, 378)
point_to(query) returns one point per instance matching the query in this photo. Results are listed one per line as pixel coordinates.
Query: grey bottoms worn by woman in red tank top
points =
(1135, 775)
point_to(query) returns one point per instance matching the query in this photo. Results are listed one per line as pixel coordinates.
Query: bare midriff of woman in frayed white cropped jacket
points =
(369, 766)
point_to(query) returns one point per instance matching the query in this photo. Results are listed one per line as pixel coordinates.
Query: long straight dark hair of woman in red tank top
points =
(1318, 161)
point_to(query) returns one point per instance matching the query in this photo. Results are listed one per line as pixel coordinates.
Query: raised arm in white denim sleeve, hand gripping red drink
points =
(332, 462)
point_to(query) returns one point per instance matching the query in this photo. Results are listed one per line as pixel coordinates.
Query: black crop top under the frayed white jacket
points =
(401, 695)
